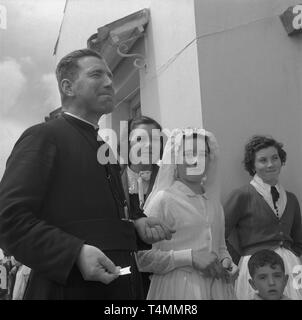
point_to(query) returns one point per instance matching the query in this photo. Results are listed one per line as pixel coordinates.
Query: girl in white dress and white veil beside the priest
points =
(195, 264)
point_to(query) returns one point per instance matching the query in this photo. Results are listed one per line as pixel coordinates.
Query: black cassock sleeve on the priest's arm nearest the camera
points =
(23, 231)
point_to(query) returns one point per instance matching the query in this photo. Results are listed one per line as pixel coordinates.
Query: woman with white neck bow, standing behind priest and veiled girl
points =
(138, 176)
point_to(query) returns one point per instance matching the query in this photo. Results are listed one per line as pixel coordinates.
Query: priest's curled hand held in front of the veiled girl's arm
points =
(152, 229)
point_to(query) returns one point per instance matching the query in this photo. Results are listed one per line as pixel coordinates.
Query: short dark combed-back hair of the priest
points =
(68, 67)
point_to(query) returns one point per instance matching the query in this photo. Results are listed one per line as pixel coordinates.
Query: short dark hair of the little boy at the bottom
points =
(262, 258)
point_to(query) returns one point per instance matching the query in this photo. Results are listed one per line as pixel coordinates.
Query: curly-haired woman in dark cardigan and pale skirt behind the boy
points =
(262, 215)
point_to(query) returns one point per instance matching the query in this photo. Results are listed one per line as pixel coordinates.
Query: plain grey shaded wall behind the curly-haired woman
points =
(251, 82)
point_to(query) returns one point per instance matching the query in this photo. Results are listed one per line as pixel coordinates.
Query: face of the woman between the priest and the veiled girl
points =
(145, 144)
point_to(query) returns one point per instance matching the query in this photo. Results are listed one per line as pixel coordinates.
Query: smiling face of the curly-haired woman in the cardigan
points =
(268, 165)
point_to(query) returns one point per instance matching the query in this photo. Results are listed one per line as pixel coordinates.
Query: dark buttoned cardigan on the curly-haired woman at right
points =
(256, 225)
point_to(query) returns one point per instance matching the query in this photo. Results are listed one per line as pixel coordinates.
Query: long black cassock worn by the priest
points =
(55, 196)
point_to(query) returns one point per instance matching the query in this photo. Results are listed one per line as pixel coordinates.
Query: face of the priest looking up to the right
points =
(93, 90)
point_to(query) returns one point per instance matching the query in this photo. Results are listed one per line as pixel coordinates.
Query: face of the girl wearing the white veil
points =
(195, 160)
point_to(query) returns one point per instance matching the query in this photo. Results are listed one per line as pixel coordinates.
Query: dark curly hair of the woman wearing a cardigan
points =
(257, 143)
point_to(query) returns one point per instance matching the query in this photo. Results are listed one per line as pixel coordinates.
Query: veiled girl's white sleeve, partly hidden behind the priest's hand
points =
(156, 260)
